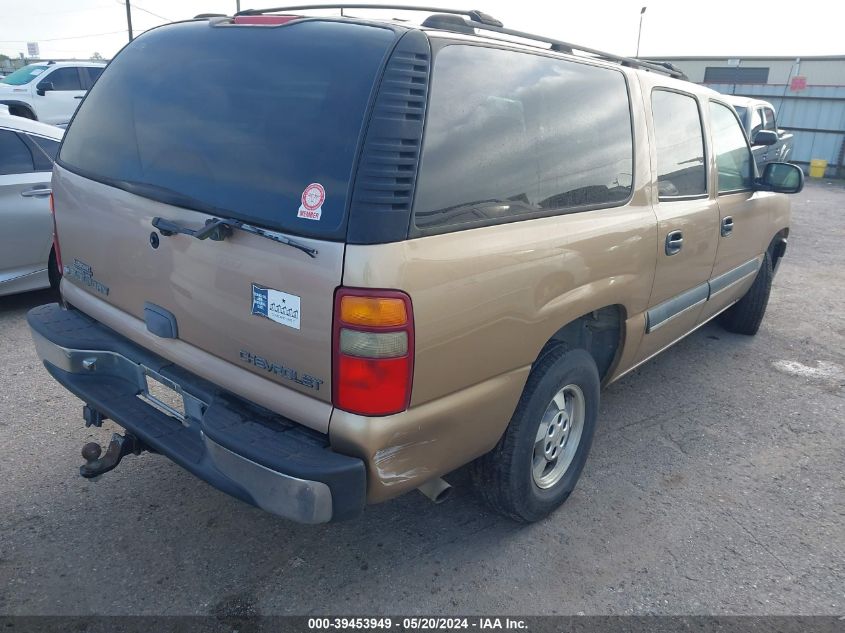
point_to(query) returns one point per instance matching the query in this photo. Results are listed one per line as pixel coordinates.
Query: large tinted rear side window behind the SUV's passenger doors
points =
(512, 135)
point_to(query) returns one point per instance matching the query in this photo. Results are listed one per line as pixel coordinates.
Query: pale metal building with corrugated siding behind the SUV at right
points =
(808, 94)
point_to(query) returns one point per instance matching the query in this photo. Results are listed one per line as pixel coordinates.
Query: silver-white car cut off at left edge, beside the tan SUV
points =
(27, 151)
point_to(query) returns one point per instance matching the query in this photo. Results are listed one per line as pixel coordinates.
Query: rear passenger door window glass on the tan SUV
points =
(681, 170)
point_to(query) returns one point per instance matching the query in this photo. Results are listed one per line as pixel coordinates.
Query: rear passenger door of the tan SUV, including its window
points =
(687, 220)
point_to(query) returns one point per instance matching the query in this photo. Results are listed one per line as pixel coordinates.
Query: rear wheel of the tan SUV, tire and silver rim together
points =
(538, 461)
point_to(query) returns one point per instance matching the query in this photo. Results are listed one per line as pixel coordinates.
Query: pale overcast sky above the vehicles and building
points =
(79, 28)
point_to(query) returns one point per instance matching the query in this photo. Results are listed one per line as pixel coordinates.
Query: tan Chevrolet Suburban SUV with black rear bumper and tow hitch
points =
(387, 251)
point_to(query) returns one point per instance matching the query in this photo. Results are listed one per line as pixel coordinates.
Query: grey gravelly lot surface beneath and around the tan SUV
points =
(715, 486)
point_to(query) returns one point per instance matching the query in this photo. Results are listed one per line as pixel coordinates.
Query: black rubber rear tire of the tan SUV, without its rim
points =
(504, 476)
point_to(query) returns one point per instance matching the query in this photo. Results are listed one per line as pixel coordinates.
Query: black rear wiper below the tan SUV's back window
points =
(216, 229)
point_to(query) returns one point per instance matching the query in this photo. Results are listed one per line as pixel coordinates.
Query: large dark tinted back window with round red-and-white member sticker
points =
(244, 123)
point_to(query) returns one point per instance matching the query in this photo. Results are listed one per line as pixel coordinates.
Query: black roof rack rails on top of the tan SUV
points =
(481, 21)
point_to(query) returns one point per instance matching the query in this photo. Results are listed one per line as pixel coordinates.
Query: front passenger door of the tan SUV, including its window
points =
(743, 215)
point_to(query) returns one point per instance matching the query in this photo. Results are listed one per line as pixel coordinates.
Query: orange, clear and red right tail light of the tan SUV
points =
(373, 346)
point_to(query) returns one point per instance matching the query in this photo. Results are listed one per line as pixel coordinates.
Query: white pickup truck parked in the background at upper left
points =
(48, 91)
